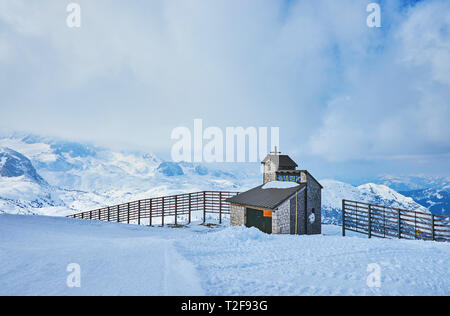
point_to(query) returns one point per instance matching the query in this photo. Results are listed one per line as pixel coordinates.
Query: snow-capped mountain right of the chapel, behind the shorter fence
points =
(335, 191)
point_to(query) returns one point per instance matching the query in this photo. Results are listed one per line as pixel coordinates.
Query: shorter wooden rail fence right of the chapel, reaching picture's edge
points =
(389, 222)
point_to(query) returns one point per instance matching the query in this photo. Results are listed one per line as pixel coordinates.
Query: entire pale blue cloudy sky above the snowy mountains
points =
(352, 102)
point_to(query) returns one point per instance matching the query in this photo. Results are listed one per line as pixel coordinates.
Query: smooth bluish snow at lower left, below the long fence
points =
(115, 259)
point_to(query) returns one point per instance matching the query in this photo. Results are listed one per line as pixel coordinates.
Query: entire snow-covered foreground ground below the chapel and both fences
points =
(119, 259)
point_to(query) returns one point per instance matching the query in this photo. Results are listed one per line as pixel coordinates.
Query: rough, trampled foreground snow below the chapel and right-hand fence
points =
(254, 264)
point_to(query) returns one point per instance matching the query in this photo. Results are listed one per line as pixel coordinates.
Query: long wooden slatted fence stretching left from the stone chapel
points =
(174, 206)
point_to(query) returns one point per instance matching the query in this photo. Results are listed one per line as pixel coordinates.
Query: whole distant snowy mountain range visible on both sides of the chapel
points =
(52, 177)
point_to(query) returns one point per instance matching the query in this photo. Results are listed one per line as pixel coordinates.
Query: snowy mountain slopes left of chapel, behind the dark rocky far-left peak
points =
(88, 168)
